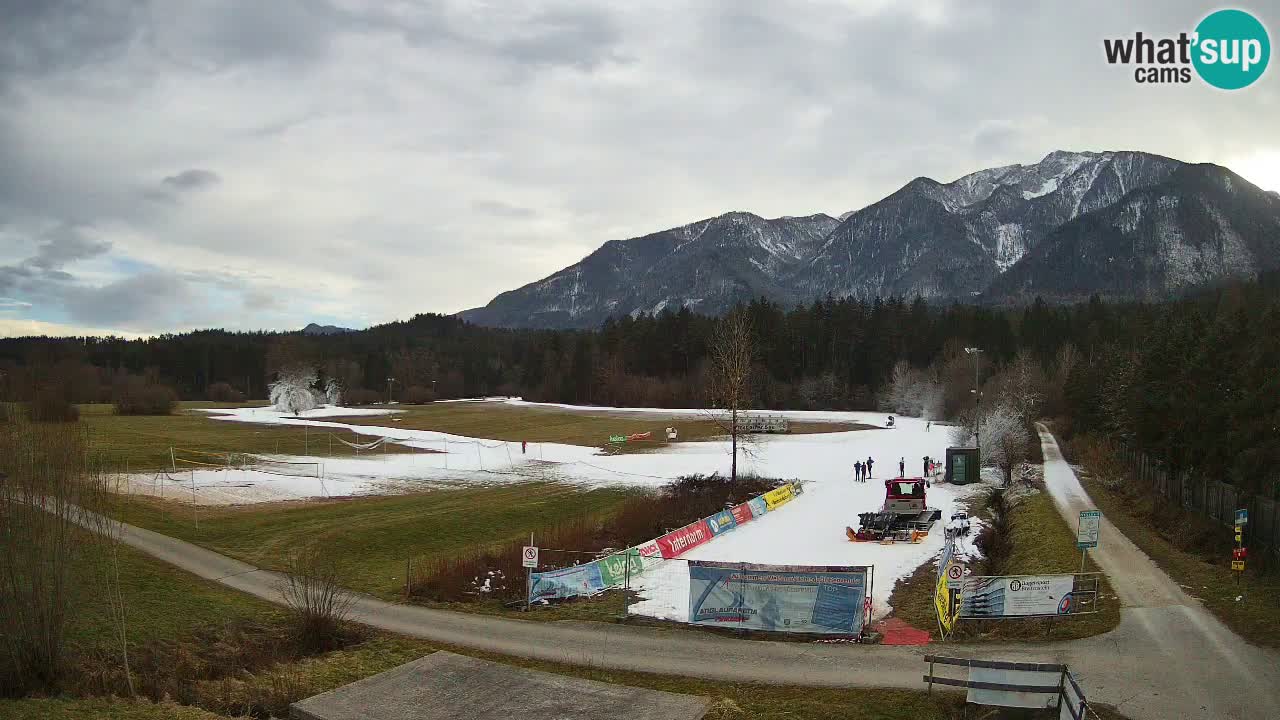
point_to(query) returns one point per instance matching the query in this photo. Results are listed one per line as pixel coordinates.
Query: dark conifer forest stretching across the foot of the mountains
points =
(1194, 381)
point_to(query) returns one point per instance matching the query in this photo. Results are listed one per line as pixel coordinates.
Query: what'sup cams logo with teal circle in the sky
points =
(1229, 51)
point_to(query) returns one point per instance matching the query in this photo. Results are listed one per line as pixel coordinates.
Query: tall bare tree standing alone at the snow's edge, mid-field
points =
(733, 354)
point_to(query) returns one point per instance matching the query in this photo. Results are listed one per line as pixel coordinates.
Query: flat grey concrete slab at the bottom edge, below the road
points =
(445, 686)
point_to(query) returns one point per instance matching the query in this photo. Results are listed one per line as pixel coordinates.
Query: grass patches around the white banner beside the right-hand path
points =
(1043, 544)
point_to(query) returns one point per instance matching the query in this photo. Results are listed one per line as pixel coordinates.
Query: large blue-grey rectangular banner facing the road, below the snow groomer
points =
(789, 599)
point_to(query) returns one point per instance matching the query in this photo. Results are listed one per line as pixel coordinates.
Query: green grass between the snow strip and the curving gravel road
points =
(374, 536)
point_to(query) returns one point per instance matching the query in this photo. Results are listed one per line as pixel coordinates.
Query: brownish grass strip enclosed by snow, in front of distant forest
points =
(548, 425)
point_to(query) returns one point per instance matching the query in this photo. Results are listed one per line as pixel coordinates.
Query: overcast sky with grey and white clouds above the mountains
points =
(264, 165)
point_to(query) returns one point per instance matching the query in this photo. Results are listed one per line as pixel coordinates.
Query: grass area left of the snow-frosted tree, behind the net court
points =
(141, 443)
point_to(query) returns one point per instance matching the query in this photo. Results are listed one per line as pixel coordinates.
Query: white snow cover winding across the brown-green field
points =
(810, 531)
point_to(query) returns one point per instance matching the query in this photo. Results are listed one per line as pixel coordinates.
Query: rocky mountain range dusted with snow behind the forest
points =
(1121, 225)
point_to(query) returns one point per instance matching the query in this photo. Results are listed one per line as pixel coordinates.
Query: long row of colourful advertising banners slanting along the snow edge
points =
(614, 572)
